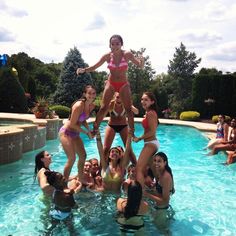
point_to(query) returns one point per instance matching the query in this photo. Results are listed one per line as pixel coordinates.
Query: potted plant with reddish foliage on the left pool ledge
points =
(41, 109)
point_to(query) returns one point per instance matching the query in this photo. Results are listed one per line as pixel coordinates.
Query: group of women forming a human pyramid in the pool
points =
(113, 161)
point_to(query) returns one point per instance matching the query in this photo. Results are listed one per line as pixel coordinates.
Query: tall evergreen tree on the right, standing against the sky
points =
(181, 69)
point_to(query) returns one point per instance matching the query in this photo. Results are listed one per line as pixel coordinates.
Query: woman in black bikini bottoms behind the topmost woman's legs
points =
(117, 124)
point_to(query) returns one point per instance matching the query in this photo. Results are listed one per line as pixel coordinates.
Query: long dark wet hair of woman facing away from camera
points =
(134, 197)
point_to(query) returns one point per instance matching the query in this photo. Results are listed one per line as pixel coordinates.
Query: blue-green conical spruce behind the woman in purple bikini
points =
(70, 86)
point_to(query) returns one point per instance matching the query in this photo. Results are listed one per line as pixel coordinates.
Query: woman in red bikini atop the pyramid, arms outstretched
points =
(117, 60)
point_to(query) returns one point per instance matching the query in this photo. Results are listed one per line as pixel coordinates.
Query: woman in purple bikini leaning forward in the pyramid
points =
(70, 138)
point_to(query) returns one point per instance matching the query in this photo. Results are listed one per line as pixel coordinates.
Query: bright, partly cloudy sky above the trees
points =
(48, 29)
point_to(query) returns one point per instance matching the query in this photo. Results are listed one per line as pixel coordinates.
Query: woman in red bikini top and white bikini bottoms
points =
(151, 143)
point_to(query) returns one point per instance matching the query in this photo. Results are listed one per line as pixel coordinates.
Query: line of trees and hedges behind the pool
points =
(209, 91)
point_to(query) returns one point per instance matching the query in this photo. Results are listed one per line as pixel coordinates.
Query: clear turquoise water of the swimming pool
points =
(204, 202)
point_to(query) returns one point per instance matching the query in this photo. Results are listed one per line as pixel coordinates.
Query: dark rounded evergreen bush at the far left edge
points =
(12, 95)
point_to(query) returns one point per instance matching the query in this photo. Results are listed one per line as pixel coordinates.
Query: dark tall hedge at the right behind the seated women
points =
(218, 87)
